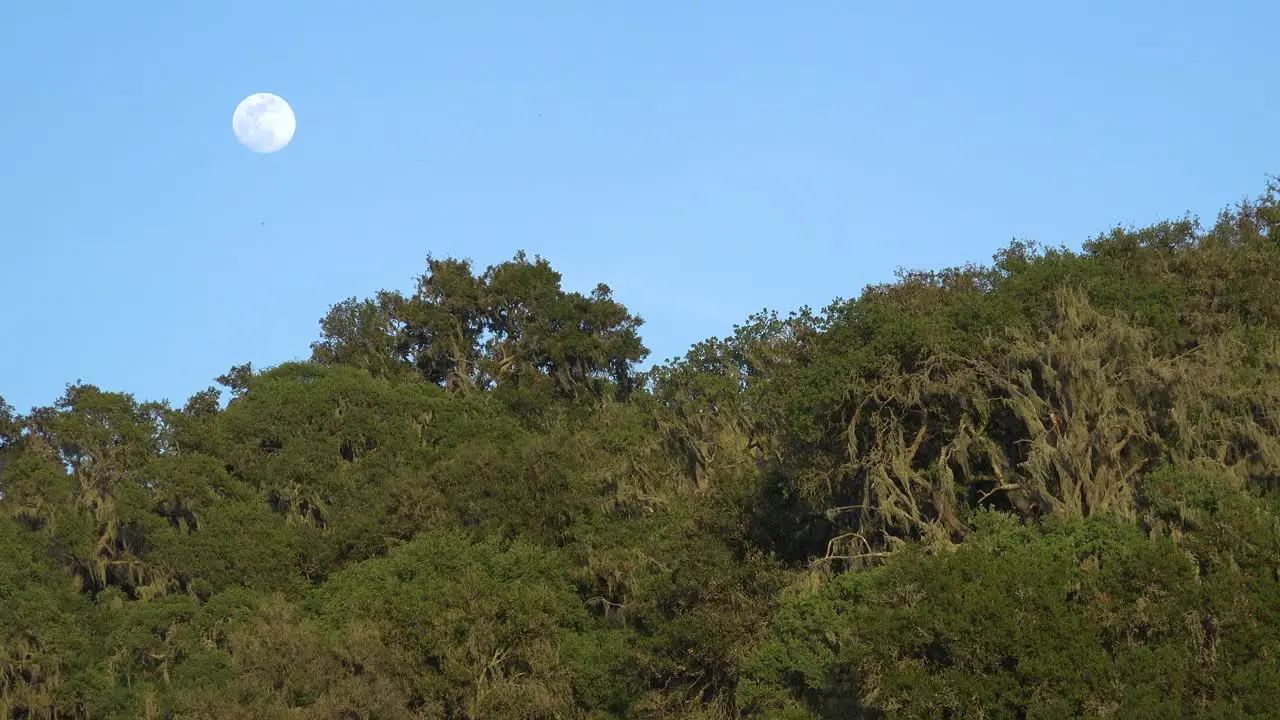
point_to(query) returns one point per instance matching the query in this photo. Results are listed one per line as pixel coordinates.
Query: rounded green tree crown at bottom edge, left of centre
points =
(481, 619)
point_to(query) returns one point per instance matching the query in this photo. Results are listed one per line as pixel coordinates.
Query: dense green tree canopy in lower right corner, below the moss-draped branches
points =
(1077, 619)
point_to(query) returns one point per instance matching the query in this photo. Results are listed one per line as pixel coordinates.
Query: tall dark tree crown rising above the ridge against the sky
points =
(513, 327)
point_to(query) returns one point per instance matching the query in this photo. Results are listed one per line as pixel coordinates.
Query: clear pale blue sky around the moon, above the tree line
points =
(706, 160)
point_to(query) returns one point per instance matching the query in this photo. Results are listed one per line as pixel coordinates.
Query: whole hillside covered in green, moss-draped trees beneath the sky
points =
(1044, 487)
